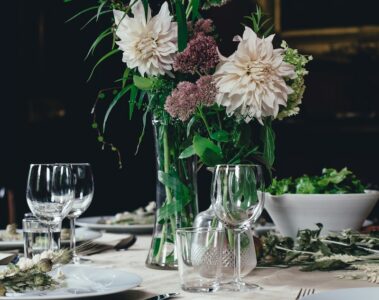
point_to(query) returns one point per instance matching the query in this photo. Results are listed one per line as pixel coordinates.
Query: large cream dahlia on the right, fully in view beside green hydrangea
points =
(251, 82)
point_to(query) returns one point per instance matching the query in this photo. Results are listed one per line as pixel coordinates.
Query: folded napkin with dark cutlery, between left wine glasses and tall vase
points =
(107, 242)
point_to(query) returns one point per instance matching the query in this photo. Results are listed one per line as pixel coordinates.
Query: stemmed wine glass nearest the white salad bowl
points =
(238, 199)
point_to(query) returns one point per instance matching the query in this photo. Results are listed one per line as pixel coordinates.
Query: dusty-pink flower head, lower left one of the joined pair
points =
(182, 102)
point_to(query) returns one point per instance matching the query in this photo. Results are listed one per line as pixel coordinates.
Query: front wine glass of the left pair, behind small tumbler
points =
(49, 194)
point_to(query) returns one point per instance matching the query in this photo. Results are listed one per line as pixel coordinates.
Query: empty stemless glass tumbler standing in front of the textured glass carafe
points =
(199, 258)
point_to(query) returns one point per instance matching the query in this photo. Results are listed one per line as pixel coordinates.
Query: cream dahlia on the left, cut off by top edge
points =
(149, 44)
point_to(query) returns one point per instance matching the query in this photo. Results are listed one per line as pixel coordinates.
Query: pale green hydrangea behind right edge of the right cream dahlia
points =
(299, 61)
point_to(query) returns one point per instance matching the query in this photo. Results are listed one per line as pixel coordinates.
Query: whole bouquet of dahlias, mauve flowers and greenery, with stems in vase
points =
(207, 108)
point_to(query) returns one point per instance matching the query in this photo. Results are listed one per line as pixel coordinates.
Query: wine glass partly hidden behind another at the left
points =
(82, 198)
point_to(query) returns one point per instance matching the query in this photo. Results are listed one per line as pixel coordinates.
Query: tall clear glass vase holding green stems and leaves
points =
(176, 194)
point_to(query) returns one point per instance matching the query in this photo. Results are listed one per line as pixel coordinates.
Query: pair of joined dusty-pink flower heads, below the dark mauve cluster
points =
(182, 102)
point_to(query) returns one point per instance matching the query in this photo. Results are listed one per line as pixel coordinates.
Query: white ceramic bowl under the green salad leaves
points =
(291, 212)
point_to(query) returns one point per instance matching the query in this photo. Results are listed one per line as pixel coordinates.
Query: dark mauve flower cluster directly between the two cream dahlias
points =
(201, 55)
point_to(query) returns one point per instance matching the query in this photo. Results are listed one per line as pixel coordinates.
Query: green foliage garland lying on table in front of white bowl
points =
(313, 252)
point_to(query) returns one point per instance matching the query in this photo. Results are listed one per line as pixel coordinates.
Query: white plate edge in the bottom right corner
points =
(347, 294)
